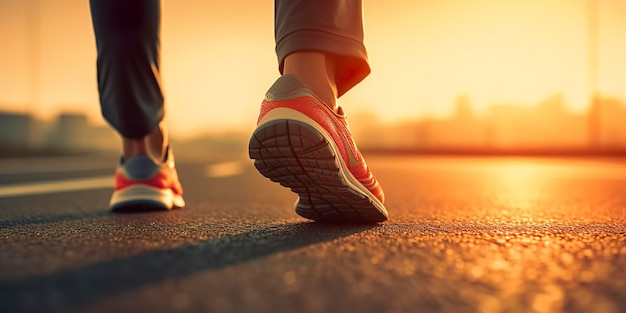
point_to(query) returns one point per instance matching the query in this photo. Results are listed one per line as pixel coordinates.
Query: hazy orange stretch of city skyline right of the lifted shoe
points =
(546, 126)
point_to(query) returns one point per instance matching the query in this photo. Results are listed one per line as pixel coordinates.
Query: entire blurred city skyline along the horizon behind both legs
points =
(545, 128)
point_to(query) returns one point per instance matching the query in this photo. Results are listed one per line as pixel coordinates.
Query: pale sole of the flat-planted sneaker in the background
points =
(143, 198)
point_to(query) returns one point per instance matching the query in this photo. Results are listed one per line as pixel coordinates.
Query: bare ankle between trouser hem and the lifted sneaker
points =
(316, 71)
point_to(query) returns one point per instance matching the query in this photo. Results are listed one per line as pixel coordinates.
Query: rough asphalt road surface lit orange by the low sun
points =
(464, 235)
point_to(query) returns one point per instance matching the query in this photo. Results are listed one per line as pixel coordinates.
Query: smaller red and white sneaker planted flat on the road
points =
(143, 184)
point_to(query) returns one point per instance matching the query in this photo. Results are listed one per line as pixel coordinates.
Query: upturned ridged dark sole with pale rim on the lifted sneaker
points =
(298, 156)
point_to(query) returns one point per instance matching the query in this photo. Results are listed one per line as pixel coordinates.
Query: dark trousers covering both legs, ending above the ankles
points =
(128, 42)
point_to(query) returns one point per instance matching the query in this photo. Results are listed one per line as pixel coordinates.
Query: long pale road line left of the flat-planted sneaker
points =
(57, 186)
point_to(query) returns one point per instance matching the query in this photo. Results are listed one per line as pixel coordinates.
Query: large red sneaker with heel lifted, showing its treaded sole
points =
(302, 144)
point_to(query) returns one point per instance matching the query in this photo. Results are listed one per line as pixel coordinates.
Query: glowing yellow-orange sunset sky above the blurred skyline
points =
(218, 57)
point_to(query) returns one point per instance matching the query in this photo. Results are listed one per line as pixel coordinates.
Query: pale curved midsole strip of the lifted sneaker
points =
(347, 178)
